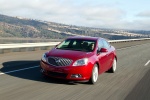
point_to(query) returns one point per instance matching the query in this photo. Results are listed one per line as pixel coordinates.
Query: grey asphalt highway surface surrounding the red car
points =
(20, 78)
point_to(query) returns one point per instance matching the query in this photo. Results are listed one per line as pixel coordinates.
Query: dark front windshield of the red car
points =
(78, 45)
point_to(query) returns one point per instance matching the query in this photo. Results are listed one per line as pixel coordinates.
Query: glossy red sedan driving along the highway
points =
(79, 59)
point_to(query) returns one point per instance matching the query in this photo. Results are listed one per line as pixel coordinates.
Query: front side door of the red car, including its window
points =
(102, 57)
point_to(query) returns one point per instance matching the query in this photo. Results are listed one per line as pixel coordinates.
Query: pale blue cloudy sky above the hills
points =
(114, 14)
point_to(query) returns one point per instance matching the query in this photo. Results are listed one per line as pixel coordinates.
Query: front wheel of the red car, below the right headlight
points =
(94, 75)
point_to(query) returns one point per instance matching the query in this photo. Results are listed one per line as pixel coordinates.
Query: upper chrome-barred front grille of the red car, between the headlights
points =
(57, 61)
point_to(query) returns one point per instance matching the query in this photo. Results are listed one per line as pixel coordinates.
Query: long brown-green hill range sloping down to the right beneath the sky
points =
(29, 28)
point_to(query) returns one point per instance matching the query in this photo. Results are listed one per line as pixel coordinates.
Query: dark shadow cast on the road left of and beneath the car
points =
(30, 70)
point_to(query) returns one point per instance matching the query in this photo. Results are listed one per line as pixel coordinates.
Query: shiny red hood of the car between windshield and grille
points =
(71, 54)
